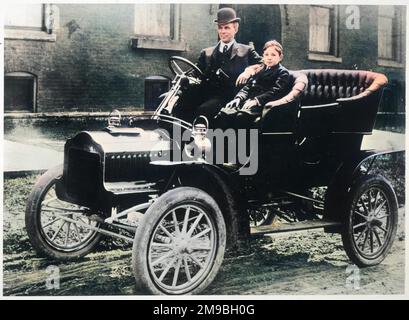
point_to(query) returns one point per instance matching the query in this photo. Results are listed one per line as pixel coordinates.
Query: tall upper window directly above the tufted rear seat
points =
(323, 33)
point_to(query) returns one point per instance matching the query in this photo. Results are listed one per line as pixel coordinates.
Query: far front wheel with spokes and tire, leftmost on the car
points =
(58, 229)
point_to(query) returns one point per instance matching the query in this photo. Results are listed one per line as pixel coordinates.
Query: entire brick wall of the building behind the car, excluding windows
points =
(92, 67)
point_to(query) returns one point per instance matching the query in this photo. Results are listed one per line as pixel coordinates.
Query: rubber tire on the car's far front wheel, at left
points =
(40, 189)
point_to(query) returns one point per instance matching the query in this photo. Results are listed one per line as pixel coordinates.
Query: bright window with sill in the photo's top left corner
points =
(30, 21)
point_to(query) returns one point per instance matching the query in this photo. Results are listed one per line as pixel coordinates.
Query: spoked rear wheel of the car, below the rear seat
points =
(371, 222)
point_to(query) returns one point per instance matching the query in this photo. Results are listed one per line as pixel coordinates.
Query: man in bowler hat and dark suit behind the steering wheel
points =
(222, 64)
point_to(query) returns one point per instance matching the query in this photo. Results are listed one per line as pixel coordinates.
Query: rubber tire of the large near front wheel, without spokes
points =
(154, 214)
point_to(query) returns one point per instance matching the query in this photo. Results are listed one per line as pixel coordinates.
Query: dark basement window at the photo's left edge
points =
(20, 91)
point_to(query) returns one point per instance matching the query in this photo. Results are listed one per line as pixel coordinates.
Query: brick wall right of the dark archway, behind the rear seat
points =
(358, 49)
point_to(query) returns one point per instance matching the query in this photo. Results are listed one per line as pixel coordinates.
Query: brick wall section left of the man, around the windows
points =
(91, 65)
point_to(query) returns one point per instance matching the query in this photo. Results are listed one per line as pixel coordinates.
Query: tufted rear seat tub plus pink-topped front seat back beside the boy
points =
(322, 101)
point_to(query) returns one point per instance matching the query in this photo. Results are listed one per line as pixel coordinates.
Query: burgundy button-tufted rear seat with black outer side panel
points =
(340, 101)
